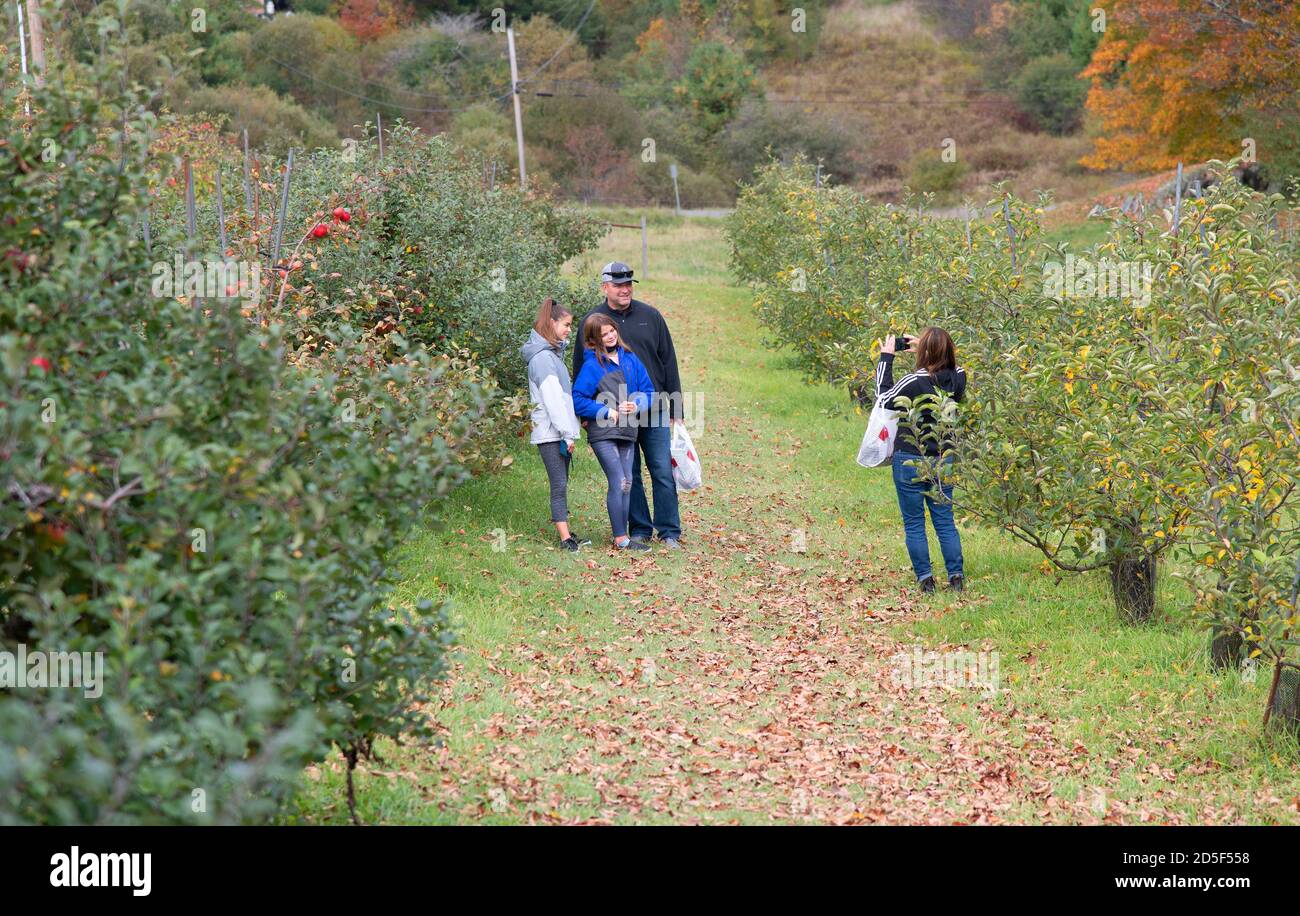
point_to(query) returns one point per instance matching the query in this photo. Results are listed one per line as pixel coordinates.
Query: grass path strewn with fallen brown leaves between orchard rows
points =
(749, 679)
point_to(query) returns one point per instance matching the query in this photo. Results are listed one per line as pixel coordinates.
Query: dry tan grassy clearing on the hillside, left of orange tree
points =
(889, 77)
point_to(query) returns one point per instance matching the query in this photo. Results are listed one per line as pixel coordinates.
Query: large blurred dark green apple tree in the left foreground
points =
(210, 516)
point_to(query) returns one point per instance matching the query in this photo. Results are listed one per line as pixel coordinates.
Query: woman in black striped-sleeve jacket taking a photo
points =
(937, 368)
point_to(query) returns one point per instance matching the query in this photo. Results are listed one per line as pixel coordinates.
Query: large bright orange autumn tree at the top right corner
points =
(1181, 80)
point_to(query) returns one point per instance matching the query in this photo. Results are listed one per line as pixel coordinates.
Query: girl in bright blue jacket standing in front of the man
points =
(613, 393)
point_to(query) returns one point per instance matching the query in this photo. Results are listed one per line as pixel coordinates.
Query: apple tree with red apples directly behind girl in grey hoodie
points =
(428, 249)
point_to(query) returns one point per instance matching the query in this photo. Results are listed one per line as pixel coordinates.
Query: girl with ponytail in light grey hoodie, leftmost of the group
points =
(556, 427)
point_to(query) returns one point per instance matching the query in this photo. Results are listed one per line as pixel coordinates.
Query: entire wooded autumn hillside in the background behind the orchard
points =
(947, 98)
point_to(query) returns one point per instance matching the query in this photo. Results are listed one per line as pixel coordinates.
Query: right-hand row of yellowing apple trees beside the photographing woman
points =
(1098, 433)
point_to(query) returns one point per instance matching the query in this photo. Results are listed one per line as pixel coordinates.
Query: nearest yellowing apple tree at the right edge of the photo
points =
(1227, 332)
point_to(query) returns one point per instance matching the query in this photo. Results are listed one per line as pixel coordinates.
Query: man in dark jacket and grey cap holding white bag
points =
(647, 335)
